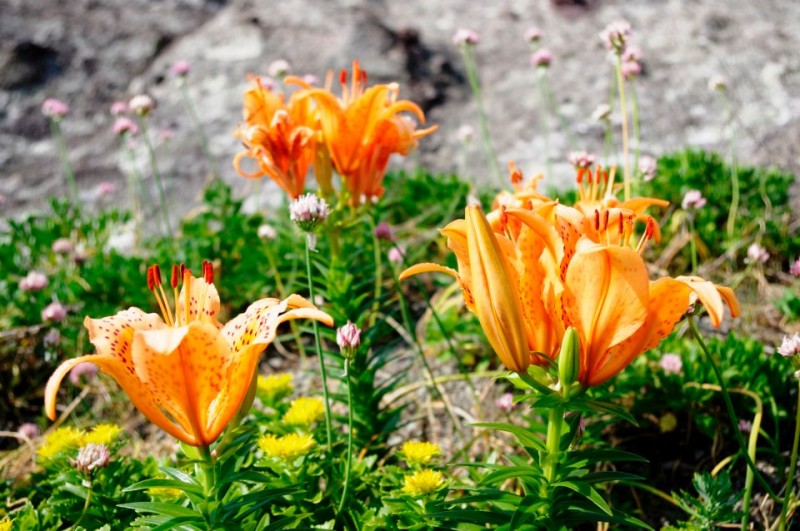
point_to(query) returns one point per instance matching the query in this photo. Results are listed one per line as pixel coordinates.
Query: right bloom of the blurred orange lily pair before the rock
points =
(363, 129)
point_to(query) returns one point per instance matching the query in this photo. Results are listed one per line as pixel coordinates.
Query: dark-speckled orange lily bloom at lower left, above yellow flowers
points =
(185, 372)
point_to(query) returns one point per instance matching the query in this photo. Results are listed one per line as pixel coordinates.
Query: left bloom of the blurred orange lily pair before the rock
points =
(279, 137)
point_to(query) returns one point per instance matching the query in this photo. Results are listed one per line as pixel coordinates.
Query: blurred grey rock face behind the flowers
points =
(90, 53)
